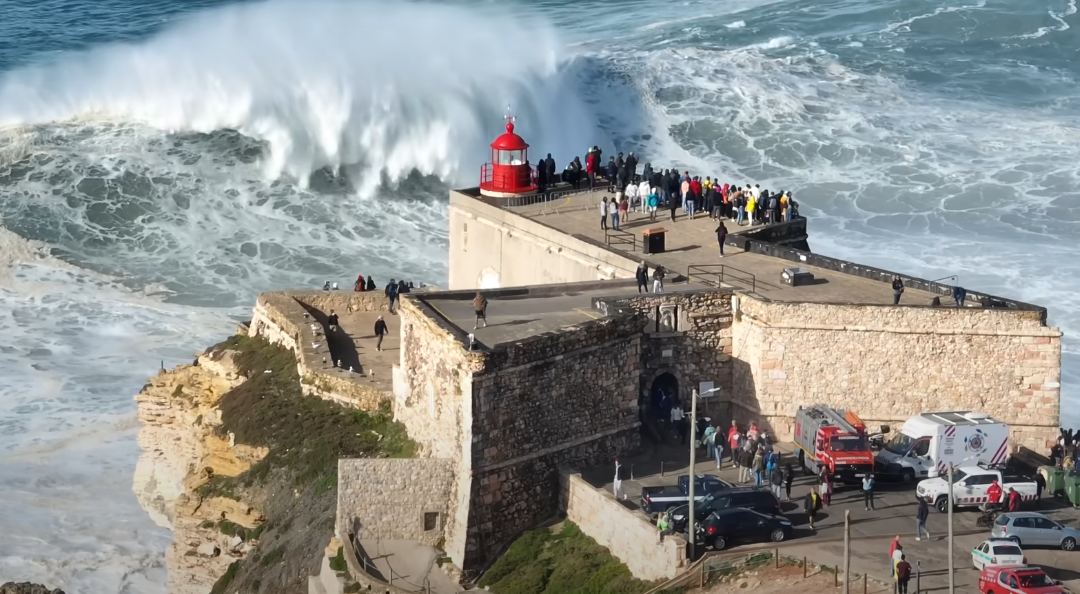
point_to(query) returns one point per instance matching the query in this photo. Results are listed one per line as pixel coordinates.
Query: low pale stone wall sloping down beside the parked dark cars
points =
(626, 534)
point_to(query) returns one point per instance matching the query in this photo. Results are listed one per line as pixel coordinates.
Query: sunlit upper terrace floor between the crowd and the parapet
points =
(694, 242)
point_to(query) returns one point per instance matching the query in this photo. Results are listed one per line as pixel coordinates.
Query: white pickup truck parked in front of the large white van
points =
(970, 485)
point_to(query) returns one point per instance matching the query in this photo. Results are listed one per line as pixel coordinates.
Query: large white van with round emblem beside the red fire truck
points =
(929, 442)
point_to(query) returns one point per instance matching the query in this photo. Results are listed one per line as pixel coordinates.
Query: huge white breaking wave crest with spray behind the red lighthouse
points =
(384, 88)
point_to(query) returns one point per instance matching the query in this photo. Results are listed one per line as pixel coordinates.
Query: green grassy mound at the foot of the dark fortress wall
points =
(568, 562)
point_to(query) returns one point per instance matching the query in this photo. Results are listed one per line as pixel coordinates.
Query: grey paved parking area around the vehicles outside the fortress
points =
(871, 531)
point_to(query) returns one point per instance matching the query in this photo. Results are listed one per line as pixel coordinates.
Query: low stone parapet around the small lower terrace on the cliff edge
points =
(281, 318)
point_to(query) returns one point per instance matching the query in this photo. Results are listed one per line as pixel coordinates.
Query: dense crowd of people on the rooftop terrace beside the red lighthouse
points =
(656, 190)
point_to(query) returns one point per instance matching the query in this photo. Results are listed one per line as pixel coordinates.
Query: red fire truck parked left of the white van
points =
(834, 440)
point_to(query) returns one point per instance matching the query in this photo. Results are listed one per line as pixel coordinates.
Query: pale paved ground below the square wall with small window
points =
(408, 565)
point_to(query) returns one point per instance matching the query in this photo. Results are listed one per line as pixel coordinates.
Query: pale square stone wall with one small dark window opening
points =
(387, 499)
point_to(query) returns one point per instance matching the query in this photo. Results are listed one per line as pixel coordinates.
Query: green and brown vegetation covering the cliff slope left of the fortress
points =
(294, 484)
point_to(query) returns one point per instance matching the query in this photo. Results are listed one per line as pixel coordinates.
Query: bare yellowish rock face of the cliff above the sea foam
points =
(179, 412)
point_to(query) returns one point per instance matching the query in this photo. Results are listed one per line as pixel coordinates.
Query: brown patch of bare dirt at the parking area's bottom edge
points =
(788, 580)
